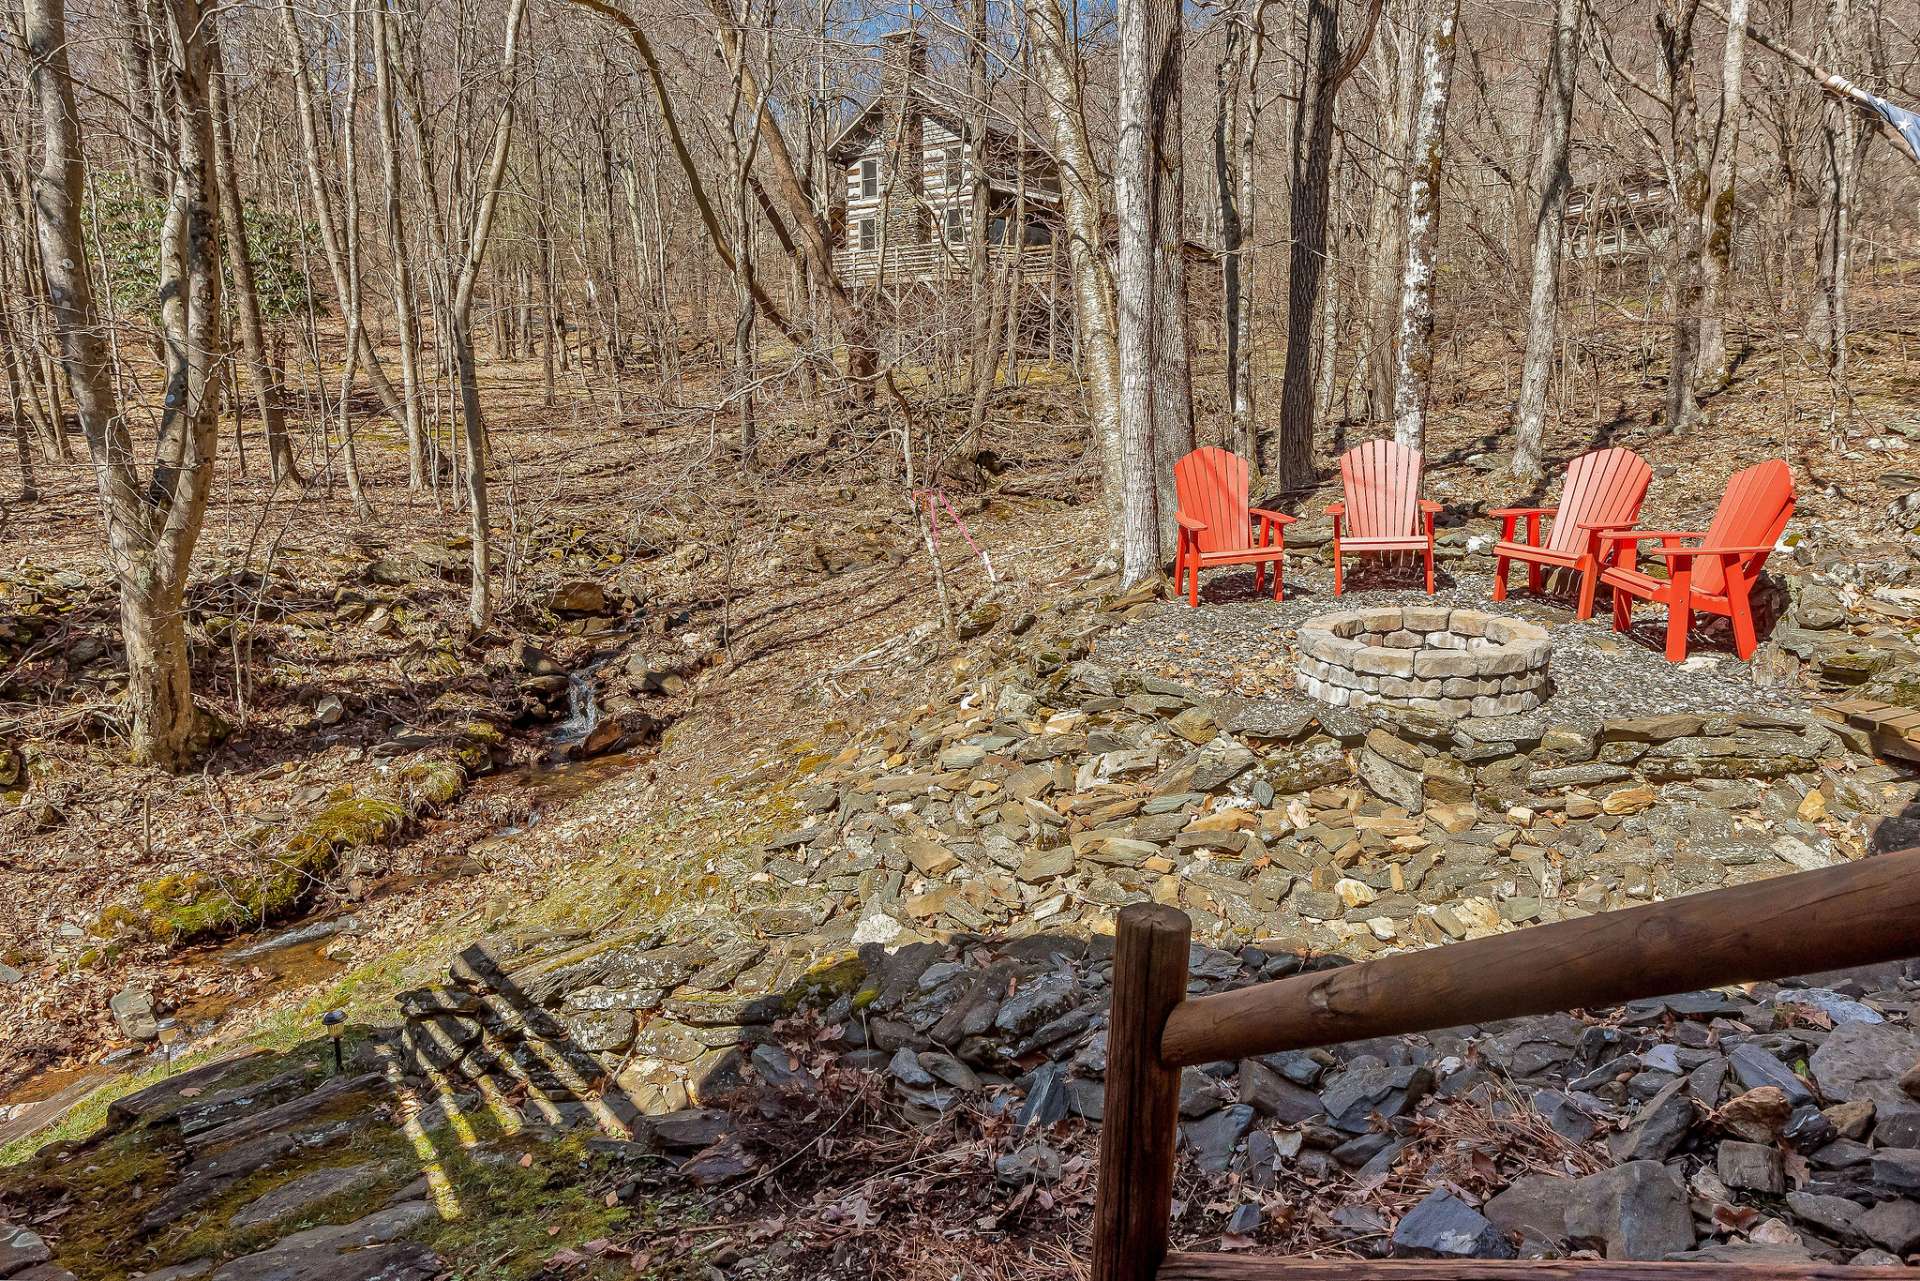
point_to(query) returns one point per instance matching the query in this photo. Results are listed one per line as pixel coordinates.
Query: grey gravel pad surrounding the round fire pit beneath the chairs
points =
(1245, 644)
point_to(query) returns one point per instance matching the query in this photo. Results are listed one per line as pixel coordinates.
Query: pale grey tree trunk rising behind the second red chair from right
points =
(1552, 181)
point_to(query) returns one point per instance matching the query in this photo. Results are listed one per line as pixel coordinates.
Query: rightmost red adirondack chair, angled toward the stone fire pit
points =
(1714, 577)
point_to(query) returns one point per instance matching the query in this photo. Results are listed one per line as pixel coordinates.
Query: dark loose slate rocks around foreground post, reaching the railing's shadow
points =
(1769, 1124)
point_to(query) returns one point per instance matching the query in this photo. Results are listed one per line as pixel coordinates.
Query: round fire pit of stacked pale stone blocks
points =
(1451, 662)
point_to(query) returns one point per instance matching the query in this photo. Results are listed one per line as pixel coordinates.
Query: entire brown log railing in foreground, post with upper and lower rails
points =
(1854, 915)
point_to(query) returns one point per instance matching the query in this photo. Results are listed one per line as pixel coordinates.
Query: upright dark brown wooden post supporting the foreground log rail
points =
(1136, 1192)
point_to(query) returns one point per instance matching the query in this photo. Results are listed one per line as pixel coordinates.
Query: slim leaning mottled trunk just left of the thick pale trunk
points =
(1093, 287)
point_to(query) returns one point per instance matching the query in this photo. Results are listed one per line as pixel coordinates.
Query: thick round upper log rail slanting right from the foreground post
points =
(1850, 915)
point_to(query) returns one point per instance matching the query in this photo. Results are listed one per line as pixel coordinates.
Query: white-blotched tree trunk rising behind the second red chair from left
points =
(1424, 233)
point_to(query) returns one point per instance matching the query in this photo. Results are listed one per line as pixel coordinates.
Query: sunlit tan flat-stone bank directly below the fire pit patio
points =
(1049, 802)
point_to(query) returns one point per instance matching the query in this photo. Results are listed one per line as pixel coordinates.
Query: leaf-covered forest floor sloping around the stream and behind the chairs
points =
(754, 619)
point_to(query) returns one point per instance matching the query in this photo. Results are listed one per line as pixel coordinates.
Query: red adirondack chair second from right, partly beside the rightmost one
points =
(1602, 493)
